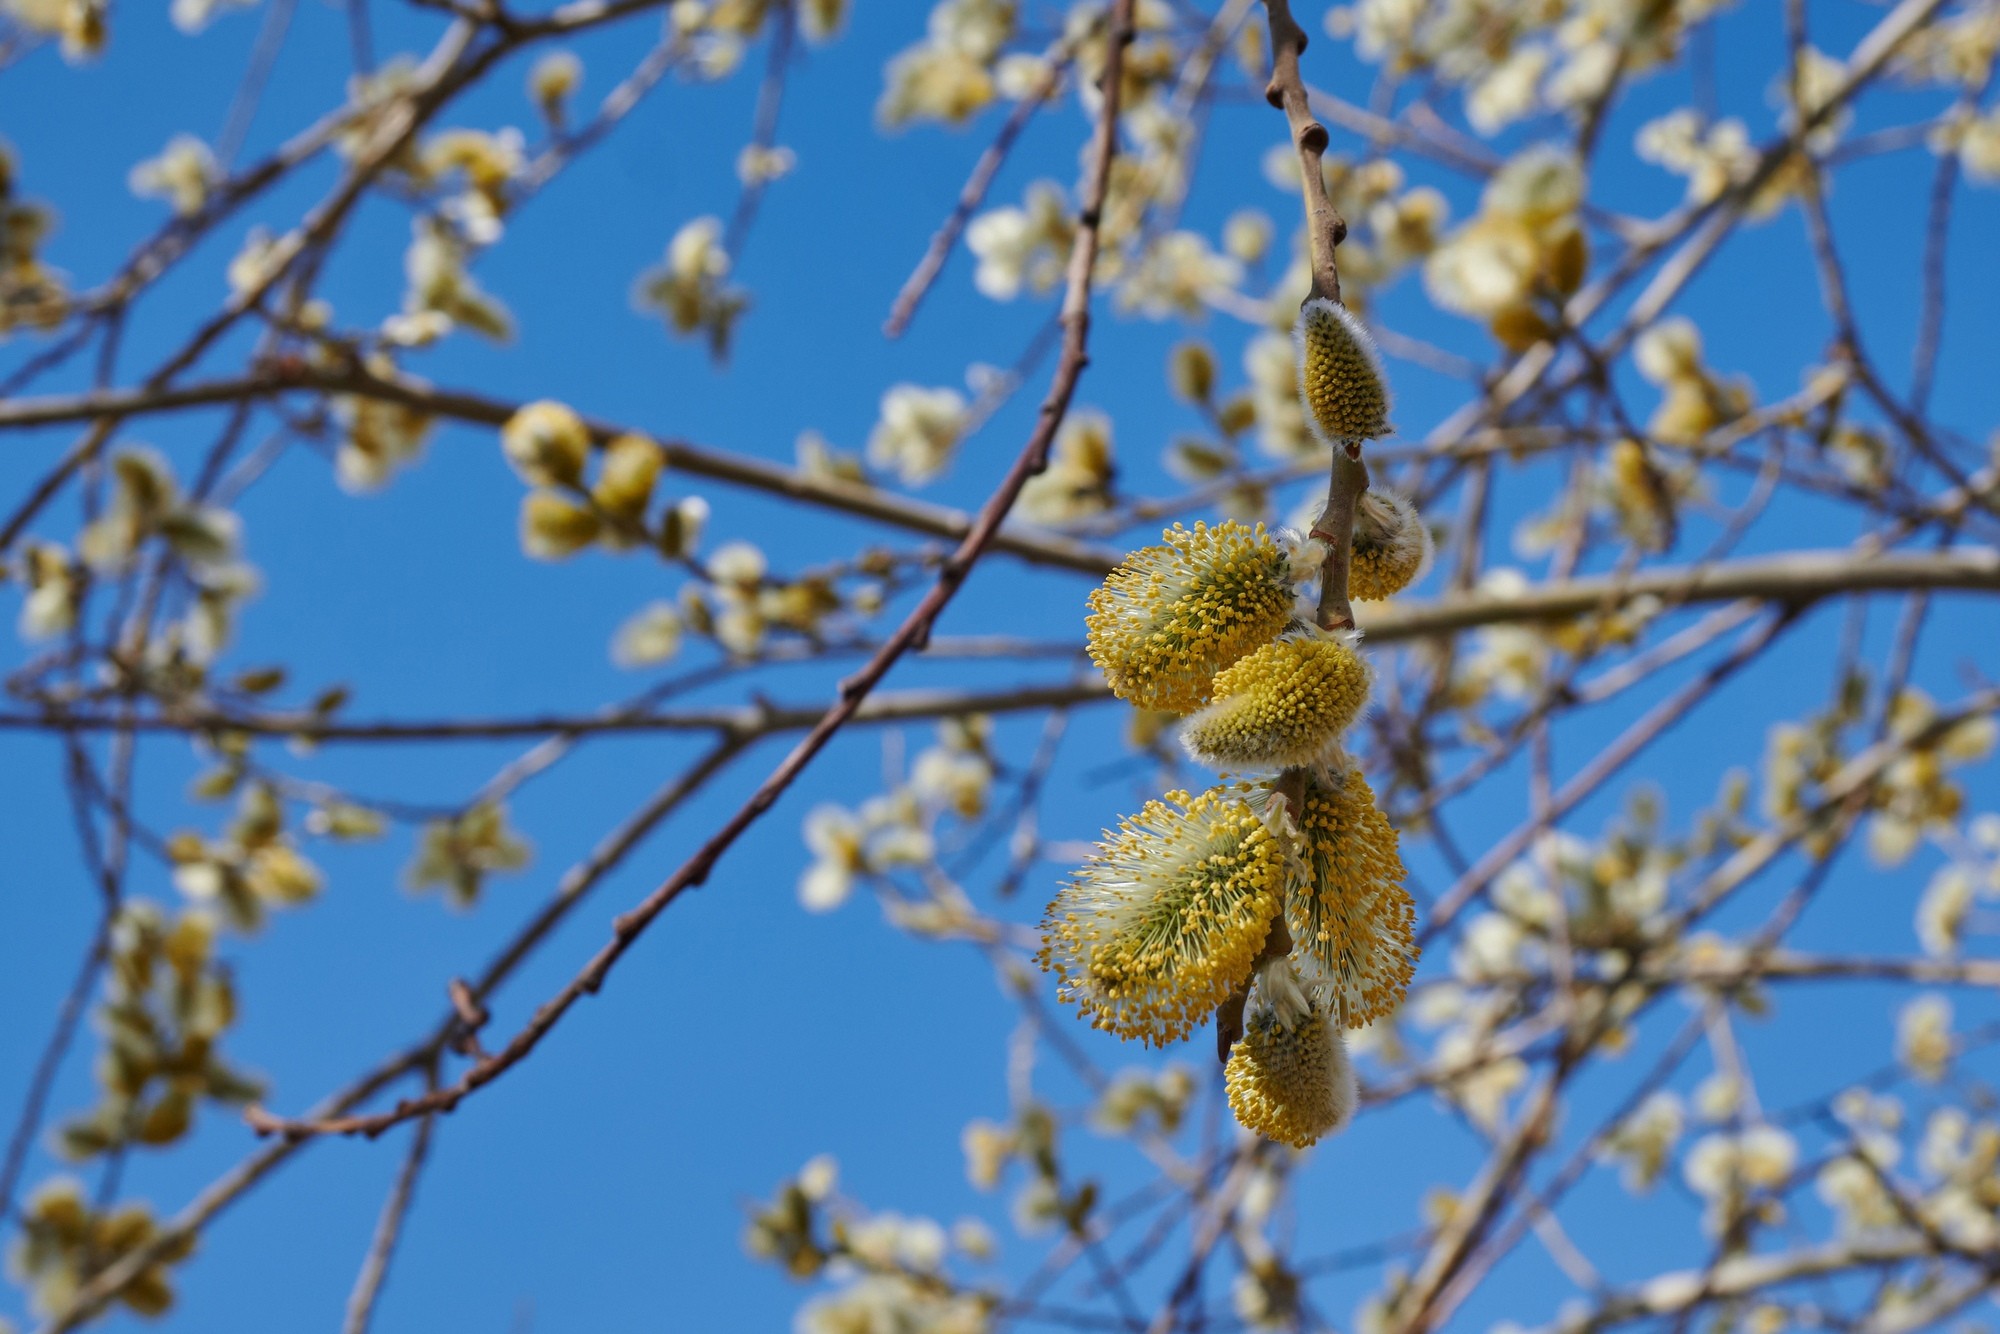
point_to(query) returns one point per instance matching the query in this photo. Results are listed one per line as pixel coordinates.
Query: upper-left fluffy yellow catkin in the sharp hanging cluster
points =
(1175, 615)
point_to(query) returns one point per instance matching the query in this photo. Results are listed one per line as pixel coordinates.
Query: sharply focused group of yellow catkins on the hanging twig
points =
(1281, 891)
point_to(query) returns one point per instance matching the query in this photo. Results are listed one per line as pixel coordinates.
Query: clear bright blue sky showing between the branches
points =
(603, 1185)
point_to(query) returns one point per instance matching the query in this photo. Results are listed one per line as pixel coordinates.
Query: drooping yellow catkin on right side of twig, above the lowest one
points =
(1351, 915)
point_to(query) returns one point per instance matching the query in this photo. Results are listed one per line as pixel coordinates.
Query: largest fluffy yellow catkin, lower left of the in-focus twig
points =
(1167, 921)
